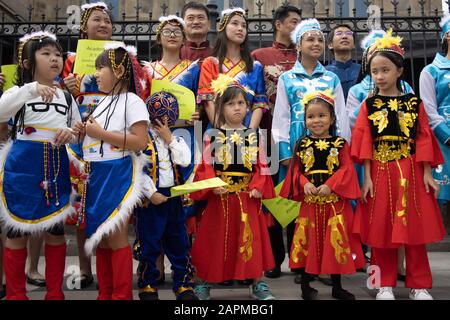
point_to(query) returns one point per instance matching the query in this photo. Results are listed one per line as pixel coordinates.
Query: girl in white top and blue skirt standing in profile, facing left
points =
(114, 133)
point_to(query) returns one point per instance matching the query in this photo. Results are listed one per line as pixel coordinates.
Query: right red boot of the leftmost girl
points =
(55, 263)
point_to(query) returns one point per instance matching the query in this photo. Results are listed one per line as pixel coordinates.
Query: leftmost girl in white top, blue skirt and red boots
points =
(35, 181)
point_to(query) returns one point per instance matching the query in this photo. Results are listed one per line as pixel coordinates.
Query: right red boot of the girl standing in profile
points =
(122, 266)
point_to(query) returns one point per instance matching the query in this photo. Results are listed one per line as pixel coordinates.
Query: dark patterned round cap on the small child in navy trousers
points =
(162, 105)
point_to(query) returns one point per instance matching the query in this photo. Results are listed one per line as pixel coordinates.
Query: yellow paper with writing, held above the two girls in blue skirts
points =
(87, 53)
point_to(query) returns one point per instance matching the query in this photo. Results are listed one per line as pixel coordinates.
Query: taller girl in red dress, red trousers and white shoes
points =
(393, 140)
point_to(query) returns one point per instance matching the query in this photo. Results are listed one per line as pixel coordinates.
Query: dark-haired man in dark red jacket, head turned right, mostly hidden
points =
(277, 59)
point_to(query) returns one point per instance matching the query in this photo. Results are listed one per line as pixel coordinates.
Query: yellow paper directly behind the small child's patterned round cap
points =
(185, 97)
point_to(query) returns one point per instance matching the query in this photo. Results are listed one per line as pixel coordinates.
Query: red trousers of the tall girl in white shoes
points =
(418, 273)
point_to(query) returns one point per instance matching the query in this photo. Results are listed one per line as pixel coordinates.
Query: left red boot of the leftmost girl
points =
(14, 265)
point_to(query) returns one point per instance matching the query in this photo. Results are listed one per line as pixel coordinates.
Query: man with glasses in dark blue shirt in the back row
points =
(341, 43)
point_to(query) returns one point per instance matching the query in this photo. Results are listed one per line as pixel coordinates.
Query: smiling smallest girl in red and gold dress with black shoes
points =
(323, 178)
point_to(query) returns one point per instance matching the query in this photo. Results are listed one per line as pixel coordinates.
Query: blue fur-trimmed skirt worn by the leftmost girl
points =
(34, 199)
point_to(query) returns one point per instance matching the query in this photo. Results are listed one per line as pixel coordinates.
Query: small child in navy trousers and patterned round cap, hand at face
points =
(160, 222)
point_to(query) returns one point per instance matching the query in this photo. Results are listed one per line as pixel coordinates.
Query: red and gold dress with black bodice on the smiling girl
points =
(323, 242)
